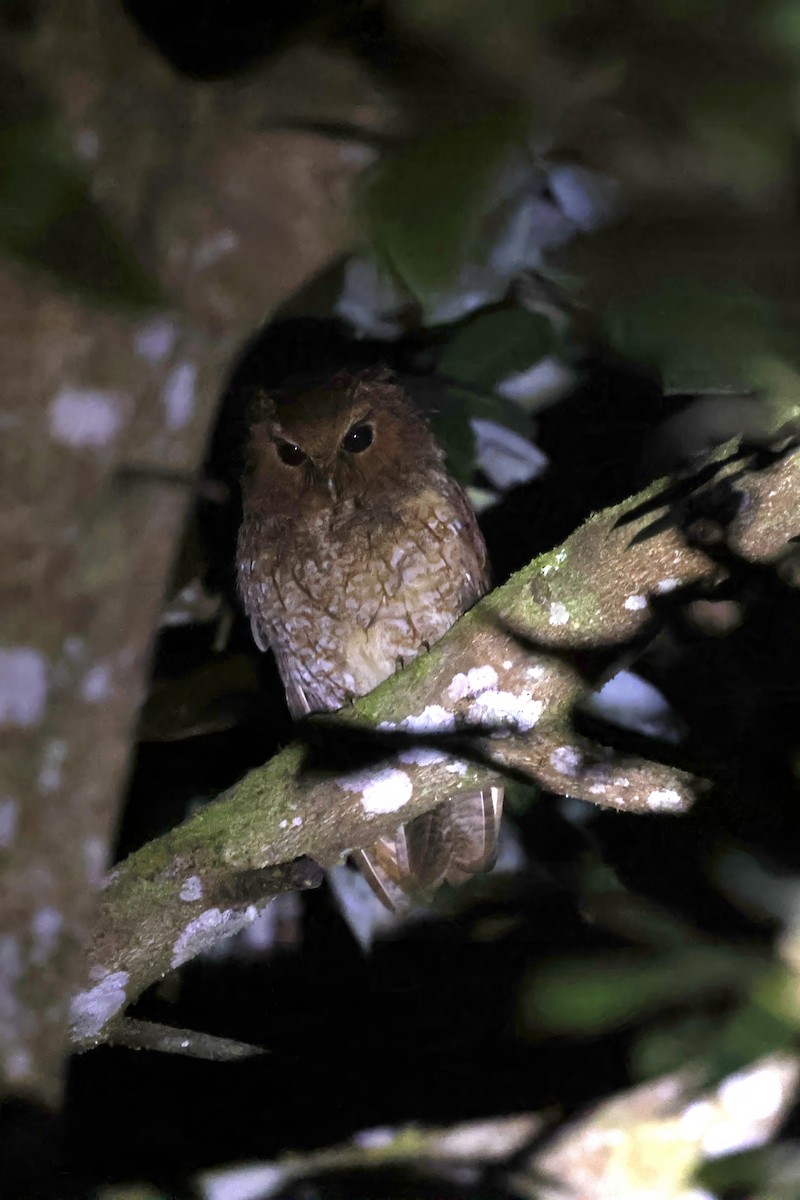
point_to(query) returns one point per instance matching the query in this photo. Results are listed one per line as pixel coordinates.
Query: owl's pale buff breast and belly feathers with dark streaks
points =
(345, 601)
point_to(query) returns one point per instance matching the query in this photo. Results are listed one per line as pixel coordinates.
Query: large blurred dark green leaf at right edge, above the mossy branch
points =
(702, 302)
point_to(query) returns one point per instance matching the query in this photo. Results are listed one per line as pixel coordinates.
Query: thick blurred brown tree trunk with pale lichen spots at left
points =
(107, 416)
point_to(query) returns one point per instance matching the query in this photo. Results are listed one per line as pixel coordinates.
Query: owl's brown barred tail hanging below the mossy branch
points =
(449, 844)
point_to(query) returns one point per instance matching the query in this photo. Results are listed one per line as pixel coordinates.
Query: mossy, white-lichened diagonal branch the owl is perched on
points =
(482, 703)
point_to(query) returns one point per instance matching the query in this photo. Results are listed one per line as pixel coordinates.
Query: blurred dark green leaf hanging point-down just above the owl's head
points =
(424, 208)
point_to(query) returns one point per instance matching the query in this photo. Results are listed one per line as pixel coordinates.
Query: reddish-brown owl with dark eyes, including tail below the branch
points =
(358, 551)
